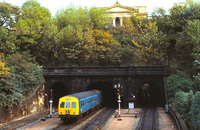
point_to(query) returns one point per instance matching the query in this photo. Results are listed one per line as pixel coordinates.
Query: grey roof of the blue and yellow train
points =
(83, 94)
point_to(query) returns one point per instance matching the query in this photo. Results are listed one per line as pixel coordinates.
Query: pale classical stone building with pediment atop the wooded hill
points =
(118, 12)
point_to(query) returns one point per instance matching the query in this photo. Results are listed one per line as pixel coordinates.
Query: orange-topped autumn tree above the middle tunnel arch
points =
(102, 49)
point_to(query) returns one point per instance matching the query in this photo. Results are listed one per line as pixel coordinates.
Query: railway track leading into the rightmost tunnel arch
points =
(148, 119)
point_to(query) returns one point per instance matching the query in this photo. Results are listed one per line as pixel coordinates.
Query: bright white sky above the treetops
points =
(55, 5)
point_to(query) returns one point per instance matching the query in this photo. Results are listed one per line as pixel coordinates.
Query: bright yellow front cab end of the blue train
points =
(68, 108)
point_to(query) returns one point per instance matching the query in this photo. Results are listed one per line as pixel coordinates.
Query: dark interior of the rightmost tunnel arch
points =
(149, 95)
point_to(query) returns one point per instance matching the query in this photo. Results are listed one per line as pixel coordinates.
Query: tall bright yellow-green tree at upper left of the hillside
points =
(30, 27)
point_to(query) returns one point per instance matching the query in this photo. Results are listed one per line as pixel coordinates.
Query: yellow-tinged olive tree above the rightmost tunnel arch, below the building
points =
(150, 45)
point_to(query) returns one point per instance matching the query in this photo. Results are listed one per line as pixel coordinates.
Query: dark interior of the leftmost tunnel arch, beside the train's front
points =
(59, 90)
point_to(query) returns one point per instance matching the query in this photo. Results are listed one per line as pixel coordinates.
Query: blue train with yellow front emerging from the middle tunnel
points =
(75, 105)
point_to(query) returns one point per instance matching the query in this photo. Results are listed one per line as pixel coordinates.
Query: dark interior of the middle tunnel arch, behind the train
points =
(108, 92)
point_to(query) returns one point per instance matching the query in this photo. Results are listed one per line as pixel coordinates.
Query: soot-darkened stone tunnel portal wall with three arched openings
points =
(68, 80)
